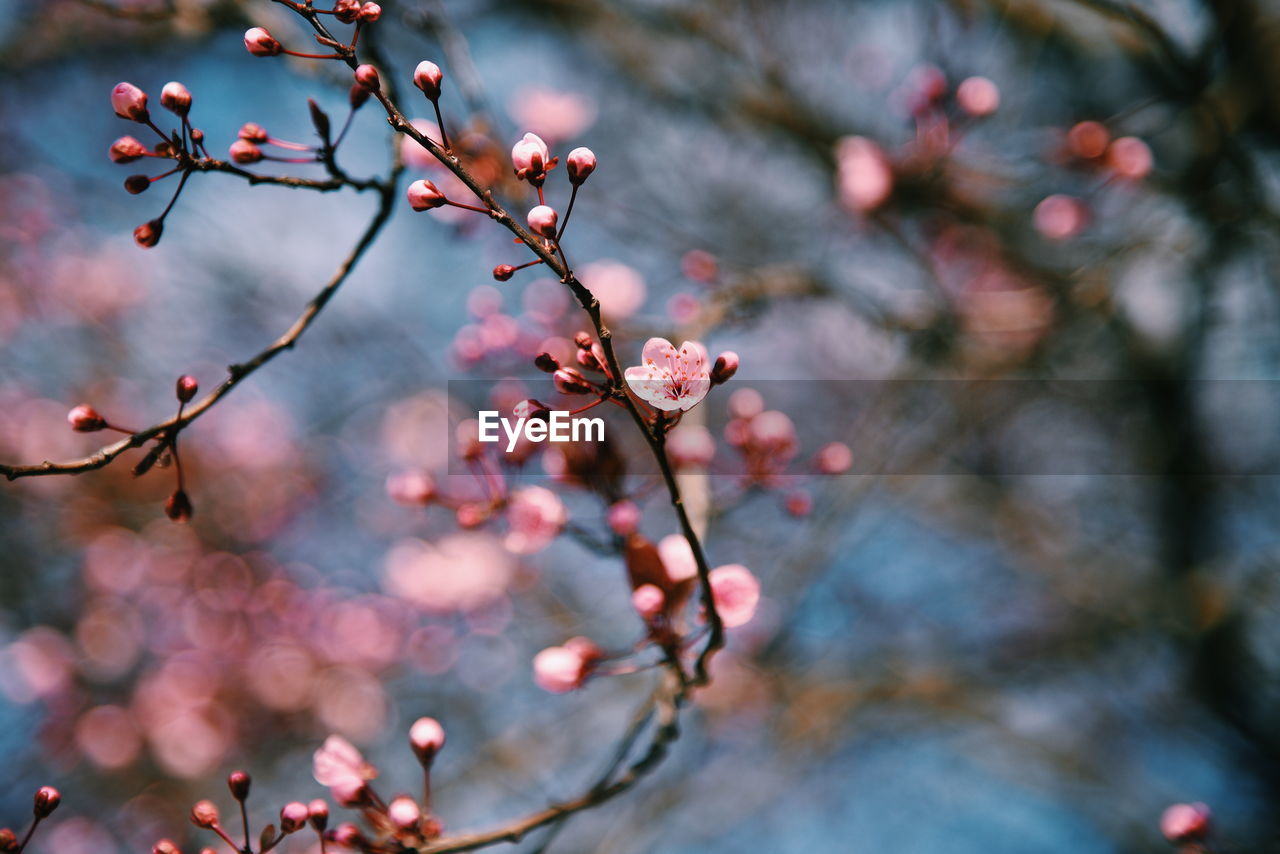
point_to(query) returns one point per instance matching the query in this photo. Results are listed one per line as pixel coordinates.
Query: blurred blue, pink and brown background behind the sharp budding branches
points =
(1018, 255)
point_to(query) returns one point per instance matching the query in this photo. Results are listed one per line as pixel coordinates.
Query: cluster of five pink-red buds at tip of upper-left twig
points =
(181, 145)
